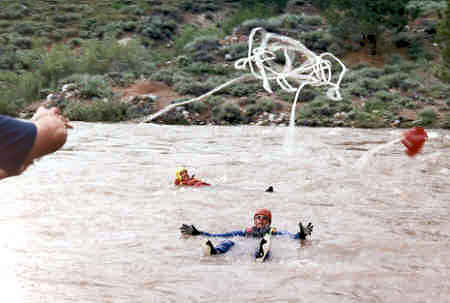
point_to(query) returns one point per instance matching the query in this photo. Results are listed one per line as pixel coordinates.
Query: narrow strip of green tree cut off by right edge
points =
(444, 39)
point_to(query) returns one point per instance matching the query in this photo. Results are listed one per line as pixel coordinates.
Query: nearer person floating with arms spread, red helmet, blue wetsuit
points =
(262, 226)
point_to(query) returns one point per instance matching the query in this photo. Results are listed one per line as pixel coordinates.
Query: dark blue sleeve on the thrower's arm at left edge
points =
(16, 141)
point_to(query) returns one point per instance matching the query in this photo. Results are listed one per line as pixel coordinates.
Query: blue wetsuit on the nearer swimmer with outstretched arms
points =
(252, 232)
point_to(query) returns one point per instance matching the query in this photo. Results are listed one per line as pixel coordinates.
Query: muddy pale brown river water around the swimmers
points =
(98, 221)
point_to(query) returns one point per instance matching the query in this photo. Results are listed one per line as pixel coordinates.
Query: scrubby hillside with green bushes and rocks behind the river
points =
(126, 59)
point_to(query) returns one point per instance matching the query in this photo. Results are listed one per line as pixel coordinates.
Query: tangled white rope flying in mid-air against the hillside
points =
(315, 70)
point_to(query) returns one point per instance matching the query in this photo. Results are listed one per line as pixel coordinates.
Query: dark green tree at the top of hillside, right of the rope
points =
(370, 18)
